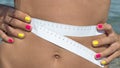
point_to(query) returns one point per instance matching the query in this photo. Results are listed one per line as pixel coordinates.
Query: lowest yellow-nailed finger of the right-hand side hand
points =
(110, 58)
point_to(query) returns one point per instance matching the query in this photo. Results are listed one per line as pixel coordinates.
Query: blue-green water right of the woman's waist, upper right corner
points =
(114, 15)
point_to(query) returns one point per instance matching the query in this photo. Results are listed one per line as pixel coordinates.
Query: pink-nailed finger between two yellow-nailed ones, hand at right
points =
(114, 47)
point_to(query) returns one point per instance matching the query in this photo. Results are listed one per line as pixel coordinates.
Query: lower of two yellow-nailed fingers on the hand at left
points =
(14, 32)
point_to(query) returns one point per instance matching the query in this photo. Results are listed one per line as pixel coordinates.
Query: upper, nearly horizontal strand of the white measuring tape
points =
(67, 30)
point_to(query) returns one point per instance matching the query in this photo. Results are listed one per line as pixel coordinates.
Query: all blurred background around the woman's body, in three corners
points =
(113, 19)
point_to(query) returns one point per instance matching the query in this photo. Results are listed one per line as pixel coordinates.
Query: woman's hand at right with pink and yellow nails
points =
(112, 39)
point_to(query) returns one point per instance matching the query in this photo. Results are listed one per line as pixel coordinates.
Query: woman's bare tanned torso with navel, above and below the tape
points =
(34, 52)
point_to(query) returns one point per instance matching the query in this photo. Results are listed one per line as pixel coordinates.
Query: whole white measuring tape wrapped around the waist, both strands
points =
(55, 33)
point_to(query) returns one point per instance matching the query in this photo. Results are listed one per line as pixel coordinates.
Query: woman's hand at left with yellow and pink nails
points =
(11, 20)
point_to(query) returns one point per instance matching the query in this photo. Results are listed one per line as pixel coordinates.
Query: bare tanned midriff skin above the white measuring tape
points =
(66, 12)
